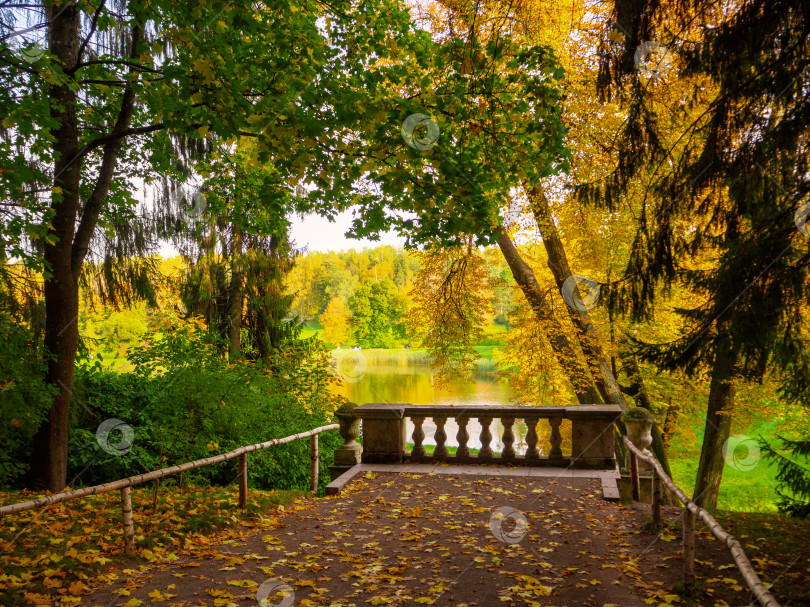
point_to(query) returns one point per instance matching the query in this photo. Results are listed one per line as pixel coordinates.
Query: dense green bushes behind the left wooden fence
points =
(185, 402)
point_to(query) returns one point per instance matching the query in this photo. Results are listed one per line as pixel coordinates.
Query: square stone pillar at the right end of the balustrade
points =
(592, 435)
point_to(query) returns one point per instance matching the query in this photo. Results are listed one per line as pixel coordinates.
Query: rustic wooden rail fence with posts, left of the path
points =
(125, 485)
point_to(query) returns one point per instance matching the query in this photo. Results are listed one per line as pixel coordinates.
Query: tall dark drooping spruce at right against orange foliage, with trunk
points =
(725, 211)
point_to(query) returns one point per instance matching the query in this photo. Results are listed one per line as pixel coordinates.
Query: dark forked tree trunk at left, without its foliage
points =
(65, 256)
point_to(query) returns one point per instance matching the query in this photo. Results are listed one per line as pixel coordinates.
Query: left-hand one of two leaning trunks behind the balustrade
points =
(577, 373)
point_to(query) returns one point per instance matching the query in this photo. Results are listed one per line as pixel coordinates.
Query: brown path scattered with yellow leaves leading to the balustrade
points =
(411, 539)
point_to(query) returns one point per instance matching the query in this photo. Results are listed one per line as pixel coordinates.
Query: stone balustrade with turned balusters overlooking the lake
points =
(385, 427)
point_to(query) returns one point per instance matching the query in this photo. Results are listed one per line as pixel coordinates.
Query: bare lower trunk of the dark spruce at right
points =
(718, 425)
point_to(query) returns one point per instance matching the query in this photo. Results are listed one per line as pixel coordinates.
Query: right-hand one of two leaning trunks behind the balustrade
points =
(558, 263)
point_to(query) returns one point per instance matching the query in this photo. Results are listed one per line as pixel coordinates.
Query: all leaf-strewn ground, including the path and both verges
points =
(406, 539)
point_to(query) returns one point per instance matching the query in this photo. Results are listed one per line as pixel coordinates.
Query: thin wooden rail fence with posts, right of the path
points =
(758, 589)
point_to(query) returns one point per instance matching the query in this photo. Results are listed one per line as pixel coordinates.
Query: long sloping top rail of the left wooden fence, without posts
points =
(155, 474)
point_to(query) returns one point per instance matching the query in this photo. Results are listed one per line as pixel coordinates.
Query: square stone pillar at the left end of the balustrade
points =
(383, 433)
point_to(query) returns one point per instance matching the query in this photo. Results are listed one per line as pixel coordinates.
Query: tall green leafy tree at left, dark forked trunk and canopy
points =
(122, 91)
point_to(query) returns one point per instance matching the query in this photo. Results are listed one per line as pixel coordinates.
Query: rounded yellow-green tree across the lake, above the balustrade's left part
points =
(376, 309)
